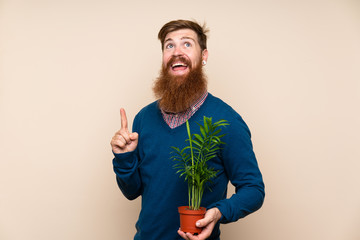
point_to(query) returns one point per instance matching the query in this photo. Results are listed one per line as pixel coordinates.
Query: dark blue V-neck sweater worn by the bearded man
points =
(148, 171)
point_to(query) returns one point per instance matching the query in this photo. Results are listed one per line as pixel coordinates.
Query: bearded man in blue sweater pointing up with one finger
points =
(142, 157)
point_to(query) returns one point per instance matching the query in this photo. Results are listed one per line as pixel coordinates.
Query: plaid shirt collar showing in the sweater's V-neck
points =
(176, 119)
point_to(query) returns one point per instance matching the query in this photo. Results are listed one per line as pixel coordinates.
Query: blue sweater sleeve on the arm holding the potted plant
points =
(243, 172)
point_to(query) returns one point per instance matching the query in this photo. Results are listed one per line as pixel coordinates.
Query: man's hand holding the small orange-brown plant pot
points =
(207, 223)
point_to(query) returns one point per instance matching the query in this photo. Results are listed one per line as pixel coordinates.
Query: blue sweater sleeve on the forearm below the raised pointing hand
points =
(126, 168)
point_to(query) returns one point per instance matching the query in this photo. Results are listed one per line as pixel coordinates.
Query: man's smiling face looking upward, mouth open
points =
(182, 52)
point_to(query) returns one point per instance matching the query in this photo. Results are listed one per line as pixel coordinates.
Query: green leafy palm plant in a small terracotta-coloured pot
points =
(191, 162)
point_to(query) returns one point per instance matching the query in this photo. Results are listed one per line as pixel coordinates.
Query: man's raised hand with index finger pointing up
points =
(124, 141)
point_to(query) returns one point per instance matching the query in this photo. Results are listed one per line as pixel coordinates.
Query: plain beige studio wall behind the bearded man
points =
(290, 68)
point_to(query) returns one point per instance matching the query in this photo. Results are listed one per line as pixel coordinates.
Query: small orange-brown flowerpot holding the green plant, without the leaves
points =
(189, 217)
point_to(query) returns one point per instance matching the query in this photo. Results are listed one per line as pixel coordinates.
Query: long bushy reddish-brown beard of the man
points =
(177, 93)
